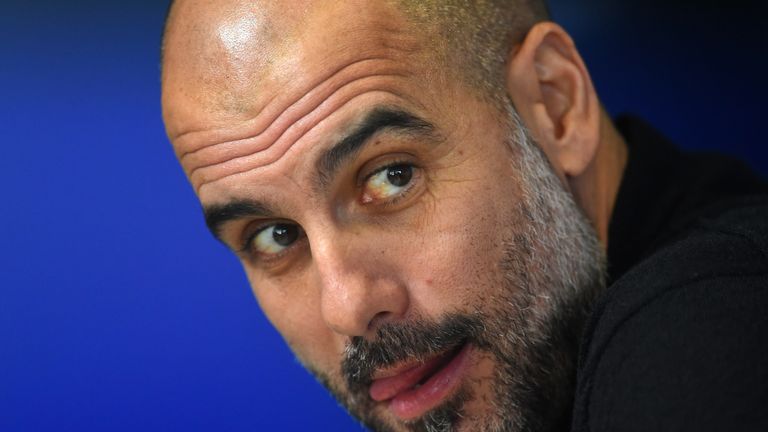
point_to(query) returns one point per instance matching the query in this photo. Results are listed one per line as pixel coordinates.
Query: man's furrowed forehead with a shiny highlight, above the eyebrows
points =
(250, 88)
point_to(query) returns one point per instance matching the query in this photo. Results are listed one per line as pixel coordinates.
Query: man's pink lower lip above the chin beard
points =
(414, 403)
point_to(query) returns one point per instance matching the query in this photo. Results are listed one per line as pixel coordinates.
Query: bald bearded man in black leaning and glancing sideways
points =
(422, 195)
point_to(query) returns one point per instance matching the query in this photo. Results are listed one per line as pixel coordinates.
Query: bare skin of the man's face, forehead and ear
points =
(251, 102)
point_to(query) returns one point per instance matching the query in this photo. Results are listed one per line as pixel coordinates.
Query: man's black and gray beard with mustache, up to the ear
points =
(554, 267)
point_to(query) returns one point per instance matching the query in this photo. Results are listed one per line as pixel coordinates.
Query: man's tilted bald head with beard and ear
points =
(399, 226)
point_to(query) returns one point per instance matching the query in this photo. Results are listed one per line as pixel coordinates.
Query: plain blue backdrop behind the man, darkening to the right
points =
(118, 311)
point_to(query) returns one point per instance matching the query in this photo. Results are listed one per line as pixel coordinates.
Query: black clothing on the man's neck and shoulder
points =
(679, 340)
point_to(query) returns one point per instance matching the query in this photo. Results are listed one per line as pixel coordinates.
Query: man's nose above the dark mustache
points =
(358, 290)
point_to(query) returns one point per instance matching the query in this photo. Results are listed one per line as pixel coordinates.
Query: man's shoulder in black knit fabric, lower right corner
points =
(680, 342)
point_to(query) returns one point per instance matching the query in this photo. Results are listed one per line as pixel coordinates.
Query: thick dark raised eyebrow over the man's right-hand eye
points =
(378, 120)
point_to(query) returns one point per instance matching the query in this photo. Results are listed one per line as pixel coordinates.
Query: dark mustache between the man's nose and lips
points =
(397, 342)
